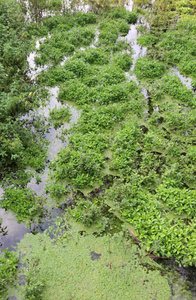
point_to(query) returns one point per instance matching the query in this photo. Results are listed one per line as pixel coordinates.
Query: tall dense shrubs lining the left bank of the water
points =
(17, 94)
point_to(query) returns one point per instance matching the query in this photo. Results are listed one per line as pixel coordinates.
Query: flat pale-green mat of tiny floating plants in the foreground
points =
(111, 268)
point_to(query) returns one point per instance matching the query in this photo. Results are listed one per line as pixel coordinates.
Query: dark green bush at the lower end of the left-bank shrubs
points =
(20, 147)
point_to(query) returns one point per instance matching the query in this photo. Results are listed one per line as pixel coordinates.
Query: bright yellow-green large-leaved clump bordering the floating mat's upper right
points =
(156, 229)
